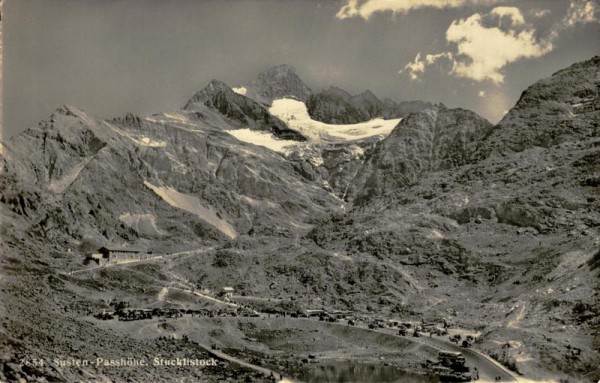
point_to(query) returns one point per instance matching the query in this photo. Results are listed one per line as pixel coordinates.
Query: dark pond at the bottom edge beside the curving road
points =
(355, 372)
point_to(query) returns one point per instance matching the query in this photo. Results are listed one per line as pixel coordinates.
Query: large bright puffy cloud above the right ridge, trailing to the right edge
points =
(482, 45)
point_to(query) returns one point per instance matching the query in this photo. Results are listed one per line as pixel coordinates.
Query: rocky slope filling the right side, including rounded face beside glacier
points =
(510, 213)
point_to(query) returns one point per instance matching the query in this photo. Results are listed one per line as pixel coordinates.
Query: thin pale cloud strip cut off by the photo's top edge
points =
(366, 8)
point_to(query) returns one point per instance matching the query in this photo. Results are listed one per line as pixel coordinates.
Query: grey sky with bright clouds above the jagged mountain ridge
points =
(110, 57)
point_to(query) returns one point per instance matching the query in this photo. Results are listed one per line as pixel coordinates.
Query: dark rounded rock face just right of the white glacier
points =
(431, 140)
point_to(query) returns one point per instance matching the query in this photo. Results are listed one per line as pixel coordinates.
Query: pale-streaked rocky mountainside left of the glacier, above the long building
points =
(65, 176)
